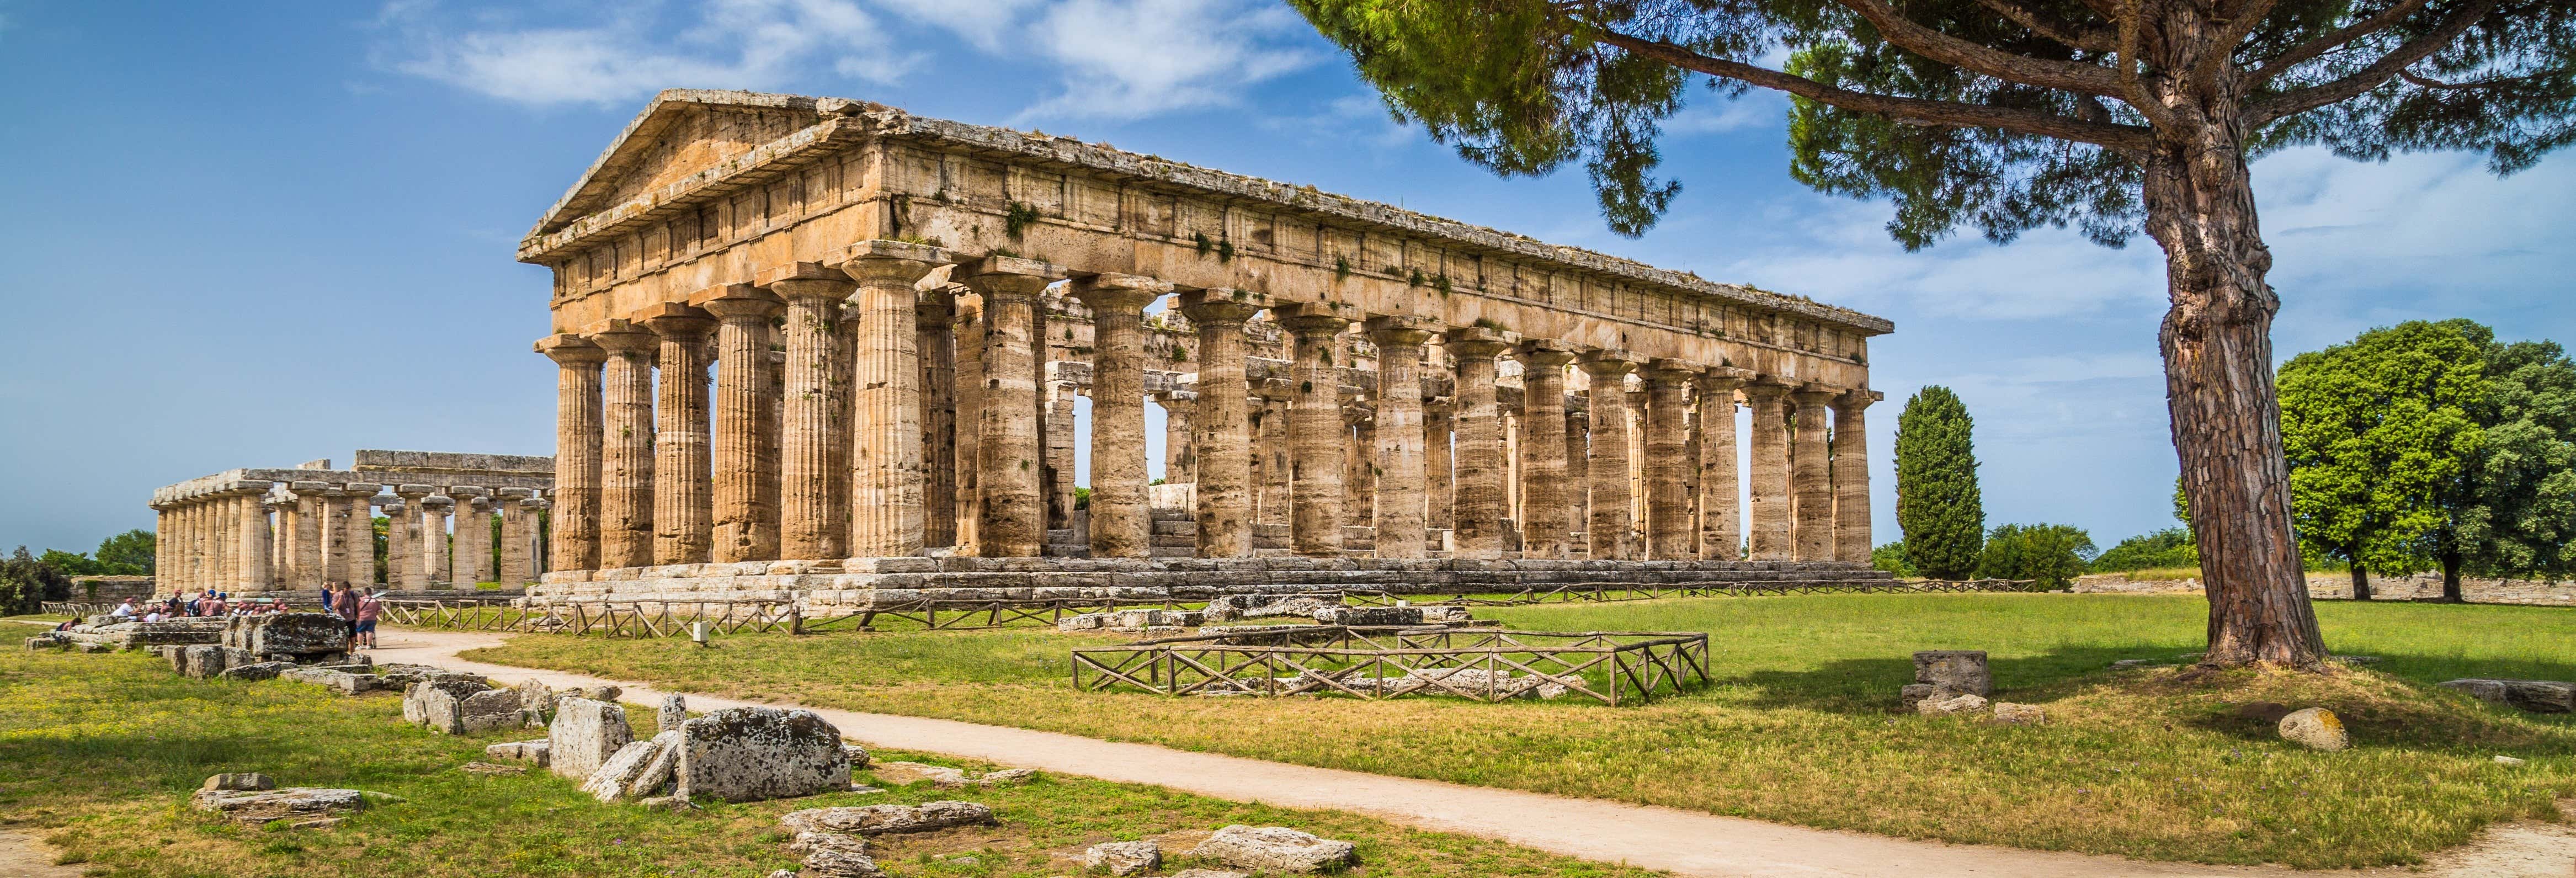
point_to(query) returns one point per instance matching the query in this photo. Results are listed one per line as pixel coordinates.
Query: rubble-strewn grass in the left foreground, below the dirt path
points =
(102, 753)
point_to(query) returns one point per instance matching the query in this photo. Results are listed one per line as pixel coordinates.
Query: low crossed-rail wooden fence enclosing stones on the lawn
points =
(1379, 663)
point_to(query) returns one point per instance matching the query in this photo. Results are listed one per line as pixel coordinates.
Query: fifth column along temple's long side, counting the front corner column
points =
(1315, 426)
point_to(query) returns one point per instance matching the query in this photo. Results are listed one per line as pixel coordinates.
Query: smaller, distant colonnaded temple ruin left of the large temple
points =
(254, 532)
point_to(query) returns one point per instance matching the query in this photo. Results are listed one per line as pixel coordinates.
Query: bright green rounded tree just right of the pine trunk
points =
(2376, 431)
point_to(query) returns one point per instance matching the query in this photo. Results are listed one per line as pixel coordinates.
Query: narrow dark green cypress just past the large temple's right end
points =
(1938, 503)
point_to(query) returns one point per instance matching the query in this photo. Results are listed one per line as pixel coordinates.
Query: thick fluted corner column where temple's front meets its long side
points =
(887, 478)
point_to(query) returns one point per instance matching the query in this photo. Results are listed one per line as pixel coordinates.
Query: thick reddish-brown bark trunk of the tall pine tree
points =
(2219, 388)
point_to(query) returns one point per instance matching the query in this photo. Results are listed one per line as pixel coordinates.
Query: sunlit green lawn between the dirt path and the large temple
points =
(1802, 720)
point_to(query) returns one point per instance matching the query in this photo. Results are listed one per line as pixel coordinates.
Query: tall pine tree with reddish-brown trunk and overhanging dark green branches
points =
(2018, 115)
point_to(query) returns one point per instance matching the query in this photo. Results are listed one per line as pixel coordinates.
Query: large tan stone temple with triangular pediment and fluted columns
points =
(818, 346)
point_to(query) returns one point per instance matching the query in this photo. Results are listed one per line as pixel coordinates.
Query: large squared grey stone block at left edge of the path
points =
(761, 753)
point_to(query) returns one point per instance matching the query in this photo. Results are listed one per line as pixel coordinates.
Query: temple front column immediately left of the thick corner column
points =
(813, 413)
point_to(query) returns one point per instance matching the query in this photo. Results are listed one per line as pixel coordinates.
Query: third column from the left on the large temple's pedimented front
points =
(684, 506)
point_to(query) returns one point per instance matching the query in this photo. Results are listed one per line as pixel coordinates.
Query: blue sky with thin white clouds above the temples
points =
(264, 233)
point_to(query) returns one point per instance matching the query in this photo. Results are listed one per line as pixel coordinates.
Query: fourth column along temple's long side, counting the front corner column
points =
(1225, 442)
